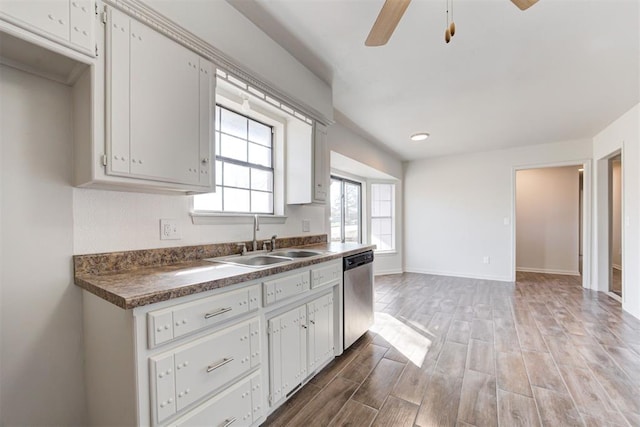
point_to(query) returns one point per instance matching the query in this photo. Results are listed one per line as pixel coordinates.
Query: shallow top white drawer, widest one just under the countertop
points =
(165, 325)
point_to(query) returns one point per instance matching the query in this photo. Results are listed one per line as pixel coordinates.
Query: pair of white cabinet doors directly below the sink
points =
(300, 341)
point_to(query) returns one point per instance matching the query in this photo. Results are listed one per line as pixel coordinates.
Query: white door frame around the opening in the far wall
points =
(587, 210)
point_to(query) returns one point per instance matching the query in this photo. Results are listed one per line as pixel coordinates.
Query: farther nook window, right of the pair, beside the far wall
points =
(382, 216)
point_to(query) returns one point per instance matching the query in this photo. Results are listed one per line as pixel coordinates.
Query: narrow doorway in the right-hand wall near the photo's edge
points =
(615, 225)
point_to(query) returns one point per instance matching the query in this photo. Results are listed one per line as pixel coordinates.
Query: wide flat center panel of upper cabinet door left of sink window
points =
(165, 103)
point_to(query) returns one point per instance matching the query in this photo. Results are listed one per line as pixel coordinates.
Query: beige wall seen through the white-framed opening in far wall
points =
(547, 220)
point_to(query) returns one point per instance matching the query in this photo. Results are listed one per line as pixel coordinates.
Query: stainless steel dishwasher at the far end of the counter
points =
(358, 296)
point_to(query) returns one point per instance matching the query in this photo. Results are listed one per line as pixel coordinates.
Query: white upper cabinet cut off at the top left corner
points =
(68, 21)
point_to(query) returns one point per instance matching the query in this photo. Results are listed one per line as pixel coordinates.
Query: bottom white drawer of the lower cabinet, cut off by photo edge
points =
(239, 405)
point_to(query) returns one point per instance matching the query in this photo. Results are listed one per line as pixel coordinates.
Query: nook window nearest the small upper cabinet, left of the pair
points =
(345, 210)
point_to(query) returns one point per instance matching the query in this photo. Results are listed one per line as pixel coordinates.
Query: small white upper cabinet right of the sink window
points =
(307, 164)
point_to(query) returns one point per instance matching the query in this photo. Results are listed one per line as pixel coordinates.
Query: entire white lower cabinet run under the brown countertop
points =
(201, 359)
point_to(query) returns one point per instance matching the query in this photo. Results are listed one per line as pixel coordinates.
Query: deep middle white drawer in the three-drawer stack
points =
(184, 375)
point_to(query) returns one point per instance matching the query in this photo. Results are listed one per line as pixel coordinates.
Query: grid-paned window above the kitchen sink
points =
(244, 166)
